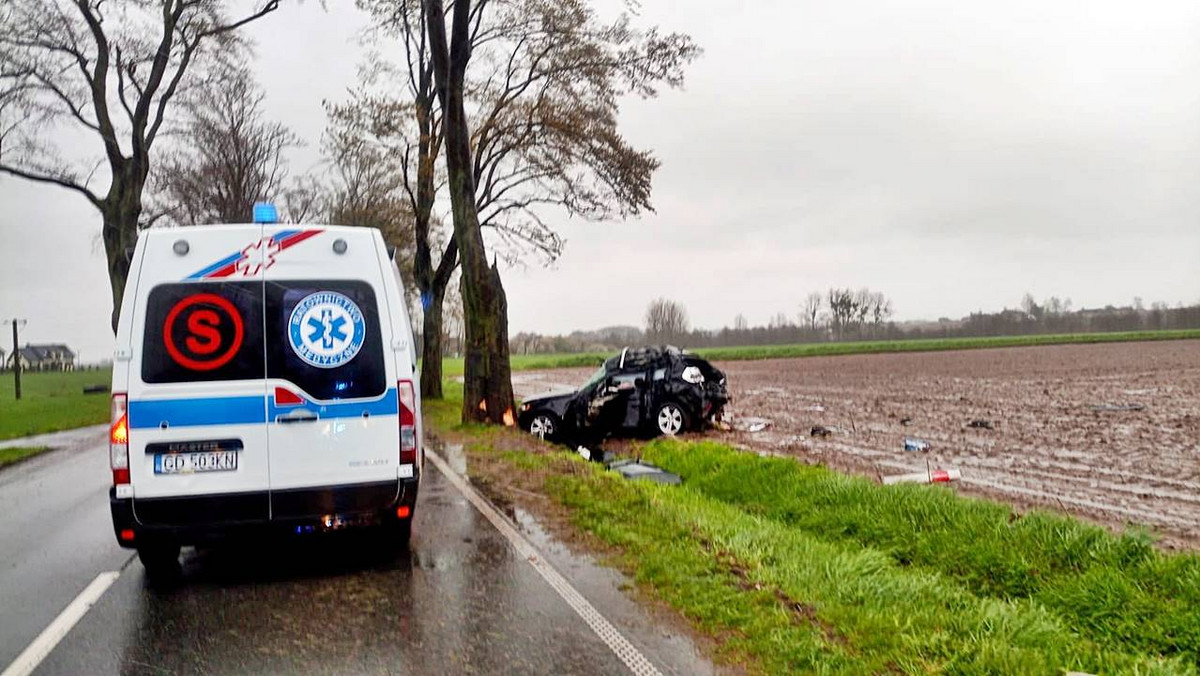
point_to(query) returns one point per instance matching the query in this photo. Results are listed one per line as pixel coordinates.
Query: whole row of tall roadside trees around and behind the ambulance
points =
(505, 110)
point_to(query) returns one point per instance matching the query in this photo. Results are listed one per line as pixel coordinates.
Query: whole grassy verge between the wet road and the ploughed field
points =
(800, 570)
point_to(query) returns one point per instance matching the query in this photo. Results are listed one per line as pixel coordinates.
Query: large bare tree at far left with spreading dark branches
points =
(112, 74)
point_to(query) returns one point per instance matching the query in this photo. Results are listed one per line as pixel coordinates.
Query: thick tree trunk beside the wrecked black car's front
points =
(488, 388)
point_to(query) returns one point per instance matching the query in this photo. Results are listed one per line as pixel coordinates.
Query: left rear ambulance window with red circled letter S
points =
(203, 332)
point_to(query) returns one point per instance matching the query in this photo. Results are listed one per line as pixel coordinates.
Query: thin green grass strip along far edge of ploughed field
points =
(538, 362)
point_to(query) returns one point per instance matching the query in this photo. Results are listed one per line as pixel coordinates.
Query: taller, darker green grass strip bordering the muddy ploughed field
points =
(1119, 591)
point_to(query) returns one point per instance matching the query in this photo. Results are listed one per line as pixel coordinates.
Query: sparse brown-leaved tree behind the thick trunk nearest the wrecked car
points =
(543, 98)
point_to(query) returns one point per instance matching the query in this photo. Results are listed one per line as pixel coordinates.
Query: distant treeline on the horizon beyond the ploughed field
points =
(1053, 316)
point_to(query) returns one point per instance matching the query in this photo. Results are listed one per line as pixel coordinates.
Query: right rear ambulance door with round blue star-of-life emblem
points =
(332, 393)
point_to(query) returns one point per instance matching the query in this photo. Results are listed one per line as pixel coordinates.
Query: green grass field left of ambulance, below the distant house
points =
(52, 402)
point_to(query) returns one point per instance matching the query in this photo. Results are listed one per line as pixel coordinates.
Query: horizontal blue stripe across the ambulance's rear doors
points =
(245, 410)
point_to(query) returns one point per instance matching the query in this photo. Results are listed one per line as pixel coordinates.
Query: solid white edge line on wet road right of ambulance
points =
(634, 660)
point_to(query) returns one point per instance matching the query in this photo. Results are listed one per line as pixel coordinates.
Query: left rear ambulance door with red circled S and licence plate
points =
(199, 447)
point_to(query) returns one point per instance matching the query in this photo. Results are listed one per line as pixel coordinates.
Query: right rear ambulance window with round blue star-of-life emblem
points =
(325, 338)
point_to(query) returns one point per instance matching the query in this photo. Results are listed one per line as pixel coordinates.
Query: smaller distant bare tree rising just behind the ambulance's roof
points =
(226, 158)
